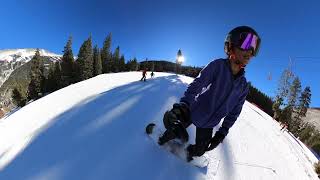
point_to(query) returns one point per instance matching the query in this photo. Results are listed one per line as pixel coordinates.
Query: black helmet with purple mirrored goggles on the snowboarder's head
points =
(243, 37)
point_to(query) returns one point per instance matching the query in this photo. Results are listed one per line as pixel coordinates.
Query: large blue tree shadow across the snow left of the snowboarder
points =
(103, 138)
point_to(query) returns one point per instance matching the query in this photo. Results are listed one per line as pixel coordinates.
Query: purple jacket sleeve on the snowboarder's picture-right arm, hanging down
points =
(231, 118)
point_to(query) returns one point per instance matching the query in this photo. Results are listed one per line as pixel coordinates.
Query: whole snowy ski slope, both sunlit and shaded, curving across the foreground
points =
(94, 129)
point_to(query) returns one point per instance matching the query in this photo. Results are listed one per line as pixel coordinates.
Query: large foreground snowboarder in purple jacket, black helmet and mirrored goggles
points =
(218, 92)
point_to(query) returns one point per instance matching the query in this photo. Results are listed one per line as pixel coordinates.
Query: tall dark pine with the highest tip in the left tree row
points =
(106, 55)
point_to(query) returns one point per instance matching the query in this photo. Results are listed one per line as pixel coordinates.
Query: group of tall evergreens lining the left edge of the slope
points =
(91, 61)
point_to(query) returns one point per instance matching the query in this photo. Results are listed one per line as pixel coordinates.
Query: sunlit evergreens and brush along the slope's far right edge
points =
(290, 106)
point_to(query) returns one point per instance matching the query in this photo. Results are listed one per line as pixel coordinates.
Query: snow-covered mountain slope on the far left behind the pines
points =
(11, 59)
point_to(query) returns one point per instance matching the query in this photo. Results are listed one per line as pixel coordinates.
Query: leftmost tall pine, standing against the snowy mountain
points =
(36, 74)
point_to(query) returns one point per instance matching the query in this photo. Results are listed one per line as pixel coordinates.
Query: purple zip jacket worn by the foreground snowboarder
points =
(215, 94)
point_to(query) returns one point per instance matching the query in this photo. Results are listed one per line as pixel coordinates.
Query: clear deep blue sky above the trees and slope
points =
(157, 29)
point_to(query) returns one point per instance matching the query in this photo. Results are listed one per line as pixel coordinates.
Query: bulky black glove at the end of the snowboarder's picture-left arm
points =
(179, 113)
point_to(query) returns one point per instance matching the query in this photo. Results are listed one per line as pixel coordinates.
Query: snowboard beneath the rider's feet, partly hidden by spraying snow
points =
(175, 147)
